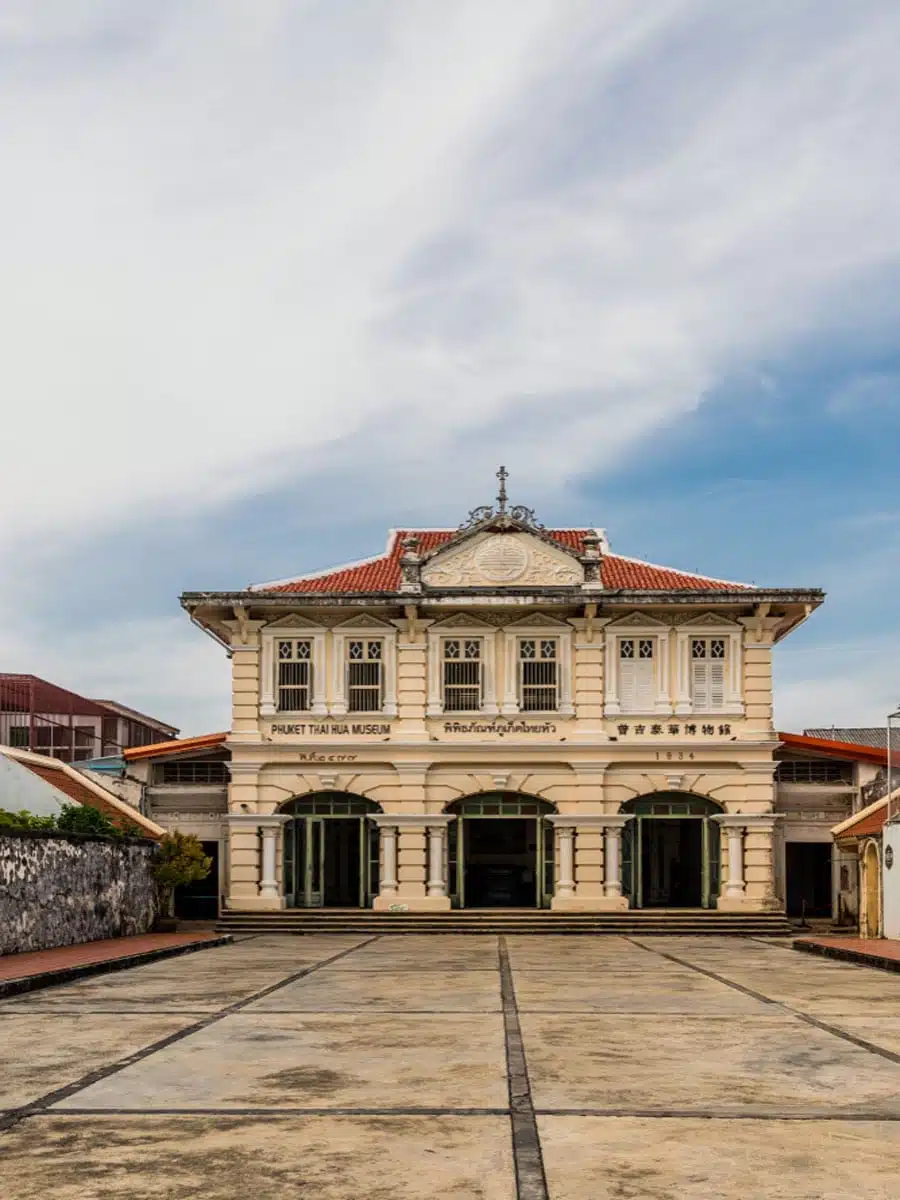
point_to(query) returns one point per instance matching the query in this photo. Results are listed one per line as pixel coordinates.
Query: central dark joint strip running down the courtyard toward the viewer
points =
(531, 1180)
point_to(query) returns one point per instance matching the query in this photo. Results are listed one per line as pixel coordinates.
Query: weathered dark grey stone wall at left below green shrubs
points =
(58, 890)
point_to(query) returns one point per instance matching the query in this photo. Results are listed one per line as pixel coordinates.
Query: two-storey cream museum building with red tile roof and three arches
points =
(502, 716)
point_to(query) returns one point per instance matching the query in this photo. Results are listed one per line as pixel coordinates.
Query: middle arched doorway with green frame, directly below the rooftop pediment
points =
(501, 851)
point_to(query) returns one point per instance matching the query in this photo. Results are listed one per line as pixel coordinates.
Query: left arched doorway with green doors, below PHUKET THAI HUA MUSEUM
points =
(331, 851)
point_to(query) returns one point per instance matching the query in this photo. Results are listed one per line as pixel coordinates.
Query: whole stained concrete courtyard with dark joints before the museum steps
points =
(476, 1069)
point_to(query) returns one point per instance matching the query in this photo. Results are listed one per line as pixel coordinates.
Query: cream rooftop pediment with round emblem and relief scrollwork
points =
(507, 560)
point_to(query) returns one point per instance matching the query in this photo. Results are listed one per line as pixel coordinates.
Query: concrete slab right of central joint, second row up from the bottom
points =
(763, 1065)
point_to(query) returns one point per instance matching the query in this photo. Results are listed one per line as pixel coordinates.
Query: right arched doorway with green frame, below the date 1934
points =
(670, 851)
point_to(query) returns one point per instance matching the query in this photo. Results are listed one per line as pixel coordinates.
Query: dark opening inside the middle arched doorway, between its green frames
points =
(501, 863)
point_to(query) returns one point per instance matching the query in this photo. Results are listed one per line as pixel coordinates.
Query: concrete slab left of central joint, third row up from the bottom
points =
(398, 992)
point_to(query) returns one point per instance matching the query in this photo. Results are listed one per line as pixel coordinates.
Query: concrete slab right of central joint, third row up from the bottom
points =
(628, 992)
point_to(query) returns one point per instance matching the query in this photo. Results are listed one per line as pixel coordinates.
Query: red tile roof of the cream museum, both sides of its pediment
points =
(382, 573)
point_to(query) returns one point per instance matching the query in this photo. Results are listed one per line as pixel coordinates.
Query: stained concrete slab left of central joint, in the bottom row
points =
(220, 1159)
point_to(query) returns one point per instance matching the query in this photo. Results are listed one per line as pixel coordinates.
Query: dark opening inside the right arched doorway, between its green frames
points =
(673, 863)
